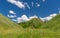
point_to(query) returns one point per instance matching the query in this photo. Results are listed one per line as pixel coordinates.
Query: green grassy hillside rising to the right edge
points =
(53, 24)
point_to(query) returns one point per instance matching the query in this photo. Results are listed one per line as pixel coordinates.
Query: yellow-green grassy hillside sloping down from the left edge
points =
(6, 23)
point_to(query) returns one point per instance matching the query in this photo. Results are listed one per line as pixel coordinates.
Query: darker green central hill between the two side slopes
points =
(33, 23)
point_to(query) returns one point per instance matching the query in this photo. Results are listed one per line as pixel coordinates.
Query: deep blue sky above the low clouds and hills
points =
(40, 8)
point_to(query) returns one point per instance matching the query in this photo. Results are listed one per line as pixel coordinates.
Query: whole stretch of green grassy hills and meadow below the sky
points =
(35, 28)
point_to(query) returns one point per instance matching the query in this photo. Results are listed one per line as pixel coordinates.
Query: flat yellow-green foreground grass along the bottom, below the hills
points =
(29, 33)
